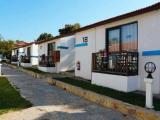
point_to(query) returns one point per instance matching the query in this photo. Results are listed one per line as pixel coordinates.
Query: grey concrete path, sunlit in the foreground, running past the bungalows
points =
(51, 103)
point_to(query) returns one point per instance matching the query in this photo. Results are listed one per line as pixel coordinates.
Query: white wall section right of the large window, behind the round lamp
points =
(149, 39)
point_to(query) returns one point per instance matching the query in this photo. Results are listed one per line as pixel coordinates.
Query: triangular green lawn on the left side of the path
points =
(10, 98)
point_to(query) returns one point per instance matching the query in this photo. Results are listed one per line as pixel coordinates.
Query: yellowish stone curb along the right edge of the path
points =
(125, 108)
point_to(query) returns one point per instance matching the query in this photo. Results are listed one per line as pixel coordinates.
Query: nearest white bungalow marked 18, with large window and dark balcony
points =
(113, 52)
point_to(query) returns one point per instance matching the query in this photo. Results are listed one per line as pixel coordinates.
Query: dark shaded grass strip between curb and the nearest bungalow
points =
(132, 98)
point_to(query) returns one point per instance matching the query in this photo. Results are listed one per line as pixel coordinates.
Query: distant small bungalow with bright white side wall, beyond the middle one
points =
(29, 57)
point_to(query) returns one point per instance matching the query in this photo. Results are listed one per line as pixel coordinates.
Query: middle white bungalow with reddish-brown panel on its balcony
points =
(57, 55)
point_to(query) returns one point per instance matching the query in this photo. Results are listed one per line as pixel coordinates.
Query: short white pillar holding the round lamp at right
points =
(149, 94)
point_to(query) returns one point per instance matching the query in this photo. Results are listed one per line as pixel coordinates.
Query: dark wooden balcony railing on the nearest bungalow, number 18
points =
(118, 63)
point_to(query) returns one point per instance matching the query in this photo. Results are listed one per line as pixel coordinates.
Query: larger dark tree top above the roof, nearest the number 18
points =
(69, 28)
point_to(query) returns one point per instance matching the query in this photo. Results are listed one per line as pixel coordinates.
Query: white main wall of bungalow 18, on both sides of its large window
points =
(148, 39)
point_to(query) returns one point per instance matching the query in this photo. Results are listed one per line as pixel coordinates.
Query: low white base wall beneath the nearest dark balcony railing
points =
(120, 83)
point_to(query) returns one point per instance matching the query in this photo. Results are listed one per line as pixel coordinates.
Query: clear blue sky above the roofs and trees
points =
(26, 19)
